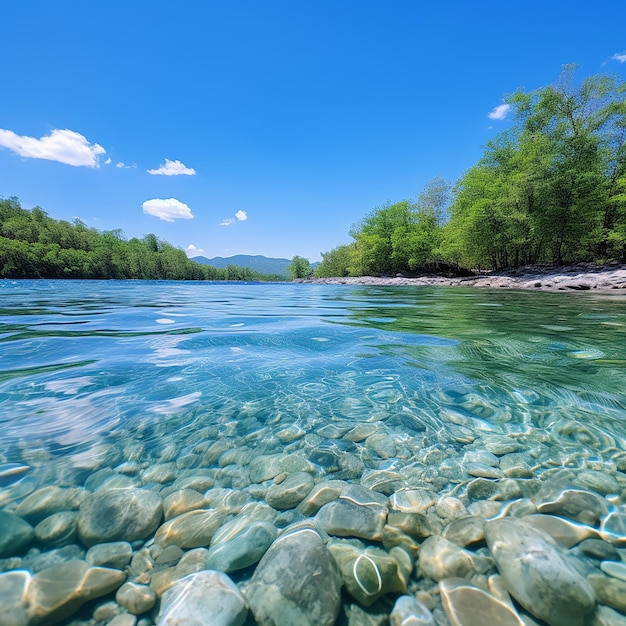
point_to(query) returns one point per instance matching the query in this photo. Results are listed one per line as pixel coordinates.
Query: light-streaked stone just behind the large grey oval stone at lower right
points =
(576, 504)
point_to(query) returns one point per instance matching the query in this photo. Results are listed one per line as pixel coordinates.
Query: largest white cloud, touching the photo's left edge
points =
(62, 145)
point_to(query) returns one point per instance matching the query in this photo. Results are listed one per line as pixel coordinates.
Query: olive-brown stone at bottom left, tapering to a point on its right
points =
(51, 602)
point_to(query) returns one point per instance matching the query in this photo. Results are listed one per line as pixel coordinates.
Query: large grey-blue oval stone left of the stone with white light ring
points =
(297, 583)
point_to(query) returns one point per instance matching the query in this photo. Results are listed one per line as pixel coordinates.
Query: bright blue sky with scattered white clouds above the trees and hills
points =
(267, 126)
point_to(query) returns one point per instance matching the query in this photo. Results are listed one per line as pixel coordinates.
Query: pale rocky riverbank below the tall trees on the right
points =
(583, 277)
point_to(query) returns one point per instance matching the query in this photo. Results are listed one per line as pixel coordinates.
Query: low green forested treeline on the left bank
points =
(33, 245)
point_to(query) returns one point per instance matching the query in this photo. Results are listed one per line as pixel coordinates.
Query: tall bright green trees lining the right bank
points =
(550, 189)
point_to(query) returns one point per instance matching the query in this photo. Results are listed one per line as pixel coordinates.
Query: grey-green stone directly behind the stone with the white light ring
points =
(358, 512)
